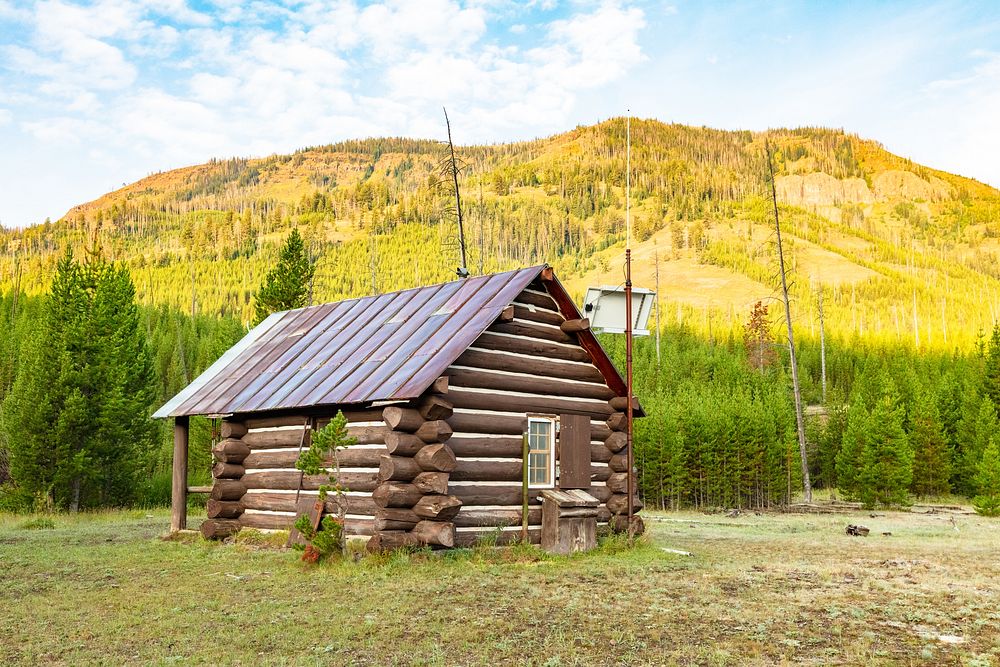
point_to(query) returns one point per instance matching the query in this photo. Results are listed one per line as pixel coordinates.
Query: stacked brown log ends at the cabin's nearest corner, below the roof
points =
(414, 508)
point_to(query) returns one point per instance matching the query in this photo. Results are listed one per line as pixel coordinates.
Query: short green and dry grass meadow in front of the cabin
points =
(758, 589)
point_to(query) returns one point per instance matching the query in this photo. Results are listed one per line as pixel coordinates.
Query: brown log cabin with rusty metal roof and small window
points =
(444, 388)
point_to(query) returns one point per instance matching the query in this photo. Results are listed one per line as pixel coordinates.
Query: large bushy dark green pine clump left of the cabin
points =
(78, 415)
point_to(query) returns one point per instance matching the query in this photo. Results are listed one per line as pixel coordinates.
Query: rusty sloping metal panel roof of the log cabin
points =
(385, 347)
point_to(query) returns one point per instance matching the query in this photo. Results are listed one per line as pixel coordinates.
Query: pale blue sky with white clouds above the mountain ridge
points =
(94, 95)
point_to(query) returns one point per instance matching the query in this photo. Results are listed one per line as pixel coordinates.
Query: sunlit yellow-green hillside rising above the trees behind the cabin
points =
(904, 252)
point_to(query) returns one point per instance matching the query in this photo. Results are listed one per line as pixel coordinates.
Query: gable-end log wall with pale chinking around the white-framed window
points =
(530, 364)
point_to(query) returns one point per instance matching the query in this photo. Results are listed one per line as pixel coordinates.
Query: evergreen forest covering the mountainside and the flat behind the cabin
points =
(115, 307)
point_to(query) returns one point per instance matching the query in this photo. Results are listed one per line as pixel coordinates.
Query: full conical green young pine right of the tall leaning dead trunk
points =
(887, 462)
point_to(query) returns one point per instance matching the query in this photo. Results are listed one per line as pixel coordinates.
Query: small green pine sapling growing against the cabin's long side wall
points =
(325, 442)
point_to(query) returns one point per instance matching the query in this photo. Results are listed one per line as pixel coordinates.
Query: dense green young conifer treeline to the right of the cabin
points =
(898, 425)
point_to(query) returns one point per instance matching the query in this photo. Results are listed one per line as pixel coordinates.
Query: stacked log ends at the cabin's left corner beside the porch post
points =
(225, 504)
